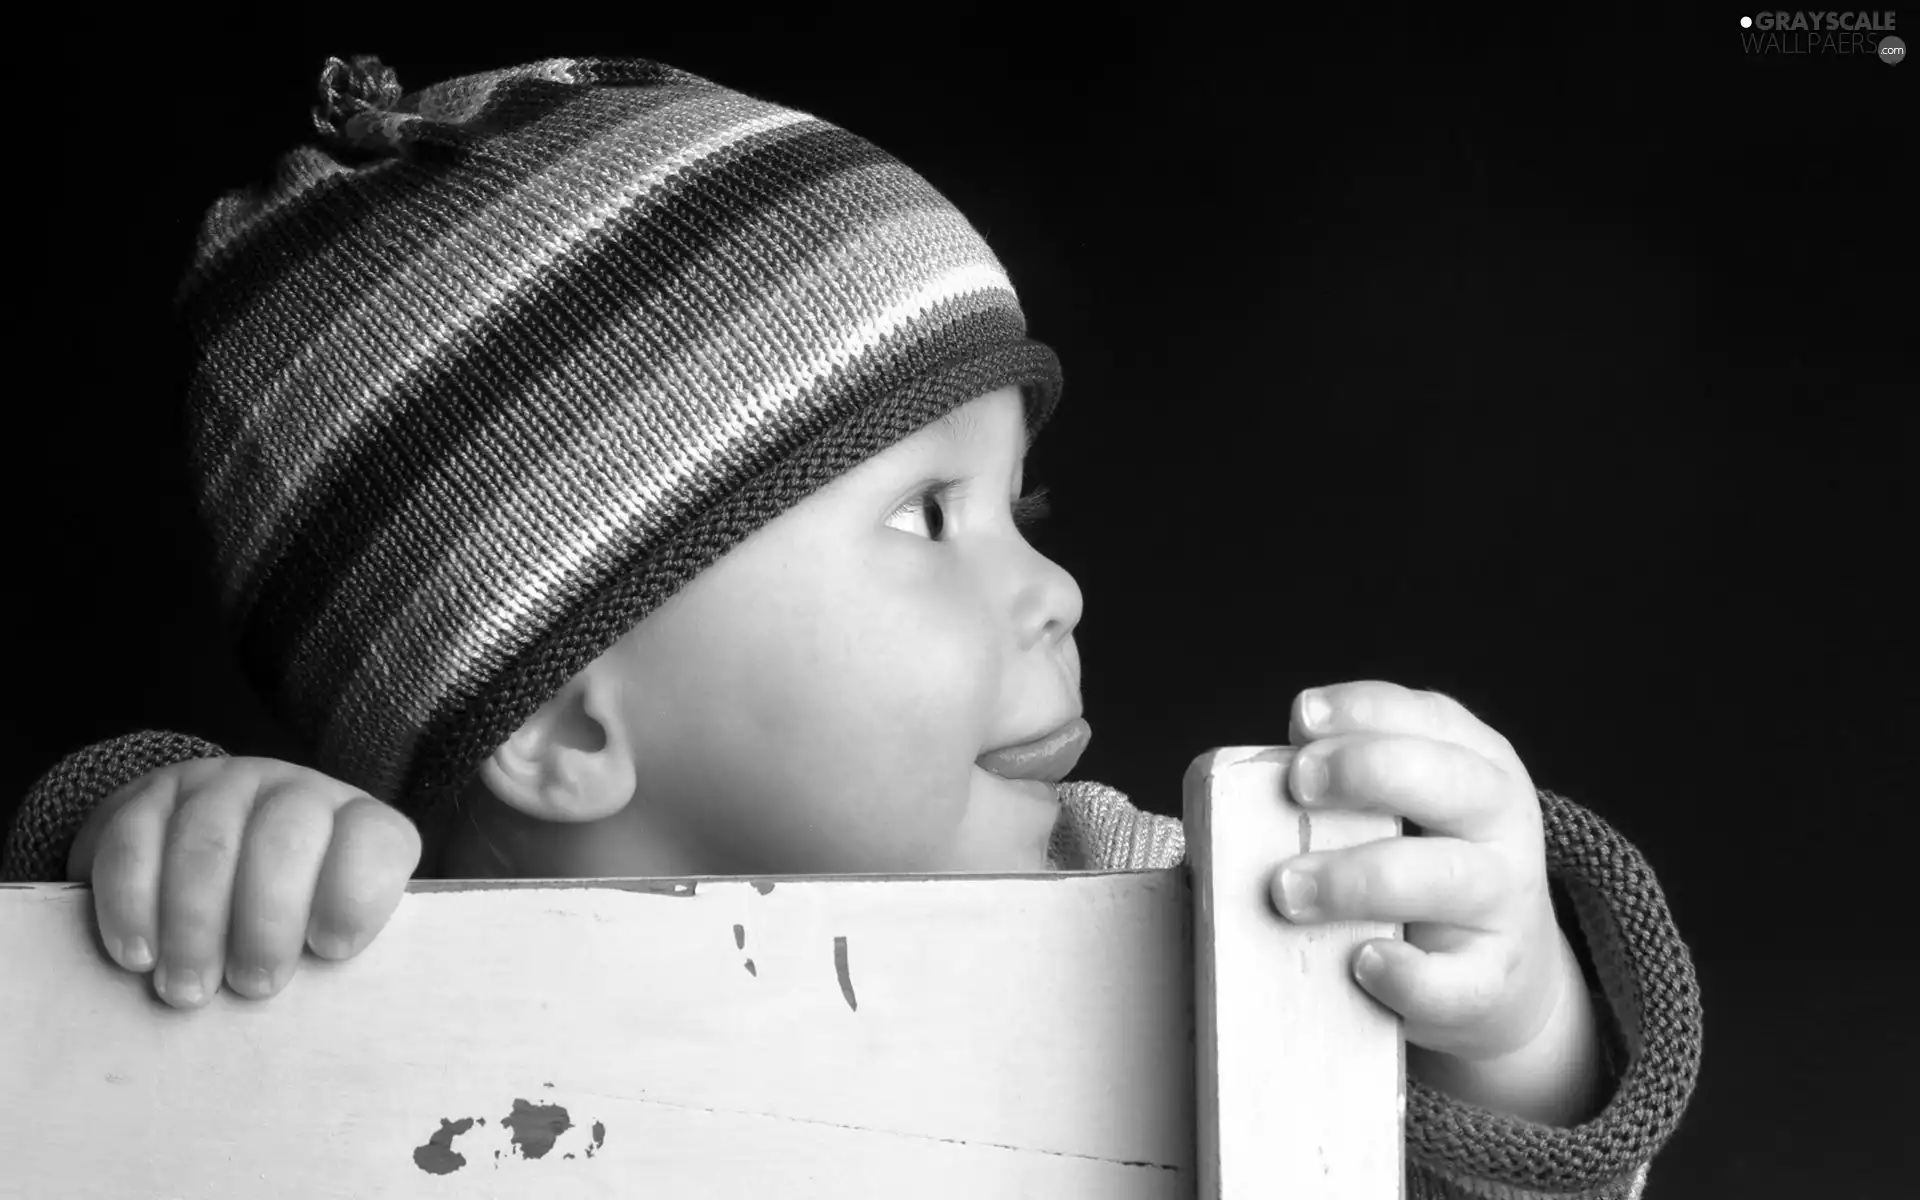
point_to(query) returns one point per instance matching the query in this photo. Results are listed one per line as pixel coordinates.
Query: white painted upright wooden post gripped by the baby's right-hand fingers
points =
(1301, 1074)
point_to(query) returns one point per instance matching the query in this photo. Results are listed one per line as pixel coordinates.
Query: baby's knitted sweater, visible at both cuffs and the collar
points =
(1646, 999)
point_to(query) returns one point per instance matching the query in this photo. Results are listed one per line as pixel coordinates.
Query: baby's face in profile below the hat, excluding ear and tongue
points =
(815, 702)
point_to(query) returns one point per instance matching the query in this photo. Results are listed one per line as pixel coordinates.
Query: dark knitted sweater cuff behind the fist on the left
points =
(60, 802)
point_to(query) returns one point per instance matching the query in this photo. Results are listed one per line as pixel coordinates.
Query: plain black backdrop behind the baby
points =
(1566, 372)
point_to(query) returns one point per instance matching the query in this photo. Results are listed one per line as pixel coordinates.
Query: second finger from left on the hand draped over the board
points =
(197, 880)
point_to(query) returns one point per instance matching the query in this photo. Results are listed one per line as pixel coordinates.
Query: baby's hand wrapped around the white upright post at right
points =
(1481, 965)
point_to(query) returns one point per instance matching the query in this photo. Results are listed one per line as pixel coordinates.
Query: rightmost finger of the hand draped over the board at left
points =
(373, 853)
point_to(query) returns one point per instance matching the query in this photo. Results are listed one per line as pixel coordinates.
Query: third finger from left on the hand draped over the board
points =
(274, 888)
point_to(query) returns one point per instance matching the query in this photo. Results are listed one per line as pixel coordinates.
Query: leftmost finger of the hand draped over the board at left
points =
(126, 873)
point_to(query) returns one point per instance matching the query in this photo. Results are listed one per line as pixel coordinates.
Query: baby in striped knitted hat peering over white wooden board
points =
(615, 475)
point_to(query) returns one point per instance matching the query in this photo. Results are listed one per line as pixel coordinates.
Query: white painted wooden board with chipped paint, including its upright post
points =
(953, 1036)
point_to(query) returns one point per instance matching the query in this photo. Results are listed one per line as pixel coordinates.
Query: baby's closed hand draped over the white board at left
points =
(228, 867)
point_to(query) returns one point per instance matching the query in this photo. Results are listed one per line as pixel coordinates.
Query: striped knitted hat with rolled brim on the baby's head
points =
(504, 364)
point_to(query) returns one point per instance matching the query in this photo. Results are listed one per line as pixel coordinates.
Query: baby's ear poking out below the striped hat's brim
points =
(573, 759)
